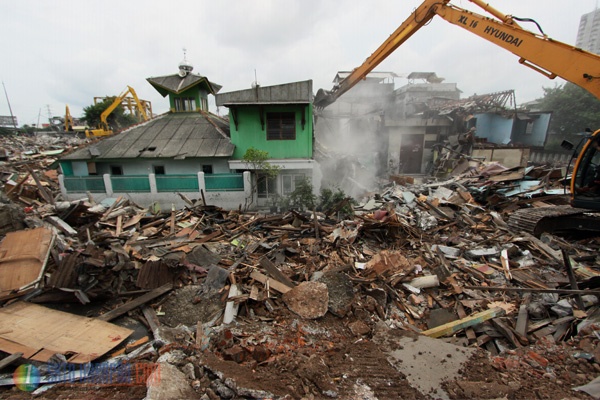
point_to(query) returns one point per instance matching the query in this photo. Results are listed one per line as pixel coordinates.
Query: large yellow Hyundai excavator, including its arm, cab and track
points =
(535, 50)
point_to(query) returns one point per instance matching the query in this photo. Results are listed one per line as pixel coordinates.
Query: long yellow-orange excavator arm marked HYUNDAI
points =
(535, 50)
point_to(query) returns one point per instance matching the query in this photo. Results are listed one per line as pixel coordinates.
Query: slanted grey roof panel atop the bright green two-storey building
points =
(287, 93)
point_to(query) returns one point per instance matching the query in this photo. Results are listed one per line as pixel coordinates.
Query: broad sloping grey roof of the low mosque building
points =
(179, 135)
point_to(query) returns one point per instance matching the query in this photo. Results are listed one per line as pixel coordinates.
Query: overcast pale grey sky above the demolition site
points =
(57, 53)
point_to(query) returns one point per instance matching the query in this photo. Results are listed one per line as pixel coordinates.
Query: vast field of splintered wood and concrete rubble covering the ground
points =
(428, 291)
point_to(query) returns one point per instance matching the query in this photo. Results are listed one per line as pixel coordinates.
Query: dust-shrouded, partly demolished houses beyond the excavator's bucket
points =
(423, 127)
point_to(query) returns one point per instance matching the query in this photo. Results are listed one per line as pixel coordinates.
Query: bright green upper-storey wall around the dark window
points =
(250, 133)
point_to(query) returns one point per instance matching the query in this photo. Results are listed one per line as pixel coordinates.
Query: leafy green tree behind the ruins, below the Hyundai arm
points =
(573, 110)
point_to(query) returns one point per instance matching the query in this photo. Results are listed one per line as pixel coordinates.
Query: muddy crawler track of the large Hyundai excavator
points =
(552, 219)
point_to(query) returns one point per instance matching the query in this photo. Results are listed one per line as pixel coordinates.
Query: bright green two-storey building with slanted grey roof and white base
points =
(279, 120)
